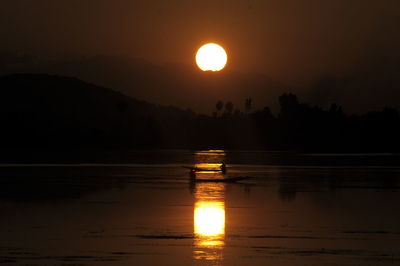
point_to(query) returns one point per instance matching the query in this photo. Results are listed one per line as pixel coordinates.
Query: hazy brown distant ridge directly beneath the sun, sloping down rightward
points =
(173, 84)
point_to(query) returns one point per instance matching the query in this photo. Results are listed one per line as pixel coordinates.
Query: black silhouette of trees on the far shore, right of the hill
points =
(302, 127)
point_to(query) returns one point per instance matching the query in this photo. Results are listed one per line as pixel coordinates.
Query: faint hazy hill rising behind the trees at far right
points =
(372, 85)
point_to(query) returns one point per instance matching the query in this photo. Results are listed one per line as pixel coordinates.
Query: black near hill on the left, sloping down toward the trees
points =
(40, 110)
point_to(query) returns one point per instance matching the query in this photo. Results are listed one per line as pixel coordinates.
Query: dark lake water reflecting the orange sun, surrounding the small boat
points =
(141, 208)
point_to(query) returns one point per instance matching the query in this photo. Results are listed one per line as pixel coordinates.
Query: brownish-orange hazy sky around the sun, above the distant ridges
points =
(291, 40)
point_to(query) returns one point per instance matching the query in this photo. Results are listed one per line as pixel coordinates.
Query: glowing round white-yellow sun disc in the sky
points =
(211, 57)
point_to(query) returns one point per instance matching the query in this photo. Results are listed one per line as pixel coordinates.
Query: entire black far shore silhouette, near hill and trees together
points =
(41, 111)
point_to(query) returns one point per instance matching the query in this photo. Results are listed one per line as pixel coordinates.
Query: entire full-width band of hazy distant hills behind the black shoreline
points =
(370, 87)
